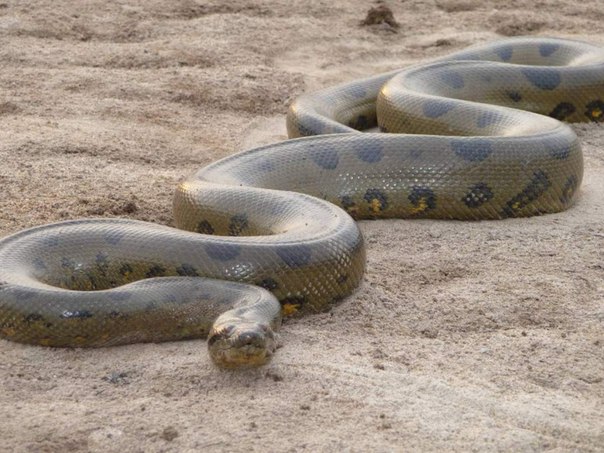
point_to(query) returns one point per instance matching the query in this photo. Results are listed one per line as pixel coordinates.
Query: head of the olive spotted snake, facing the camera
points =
(242, 344)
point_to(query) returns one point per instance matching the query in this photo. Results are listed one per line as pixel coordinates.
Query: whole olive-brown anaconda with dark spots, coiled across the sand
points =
(280, 217)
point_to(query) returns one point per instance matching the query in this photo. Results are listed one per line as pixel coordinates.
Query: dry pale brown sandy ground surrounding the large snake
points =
(464, 336)
